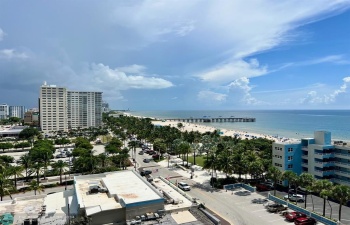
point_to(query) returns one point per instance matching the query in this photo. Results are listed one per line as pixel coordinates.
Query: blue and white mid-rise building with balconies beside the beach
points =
(318, 156)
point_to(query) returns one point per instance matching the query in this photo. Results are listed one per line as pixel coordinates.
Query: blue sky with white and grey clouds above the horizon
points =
(179, 54)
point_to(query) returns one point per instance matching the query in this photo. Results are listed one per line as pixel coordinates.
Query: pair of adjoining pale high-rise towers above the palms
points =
(62, 110)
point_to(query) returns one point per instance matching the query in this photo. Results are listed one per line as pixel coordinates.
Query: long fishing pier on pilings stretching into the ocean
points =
(212, 120)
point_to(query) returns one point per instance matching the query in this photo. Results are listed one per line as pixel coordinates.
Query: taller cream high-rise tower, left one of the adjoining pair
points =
(53, 108)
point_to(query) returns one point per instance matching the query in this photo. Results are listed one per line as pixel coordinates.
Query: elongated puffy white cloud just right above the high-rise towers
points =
(119, 80)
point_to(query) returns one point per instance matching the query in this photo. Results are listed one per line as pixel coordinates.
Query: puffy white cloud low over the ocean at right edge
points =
(314, 98)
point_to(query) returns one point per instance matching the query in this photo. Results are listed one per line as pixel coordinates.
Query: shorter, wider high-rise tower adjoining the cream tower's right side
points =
(84, 109)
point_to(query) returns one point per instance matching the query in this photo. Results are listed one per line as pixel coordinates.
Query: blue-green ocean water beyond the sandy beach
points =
(282, 123)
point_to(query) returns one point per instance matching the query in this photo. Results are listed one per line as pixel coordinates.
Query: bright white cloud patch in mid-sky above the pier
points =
(233, 71)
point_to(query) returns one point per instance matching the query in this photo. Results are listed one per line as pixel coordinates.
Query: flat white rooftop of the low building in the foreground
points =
(125, 185)
